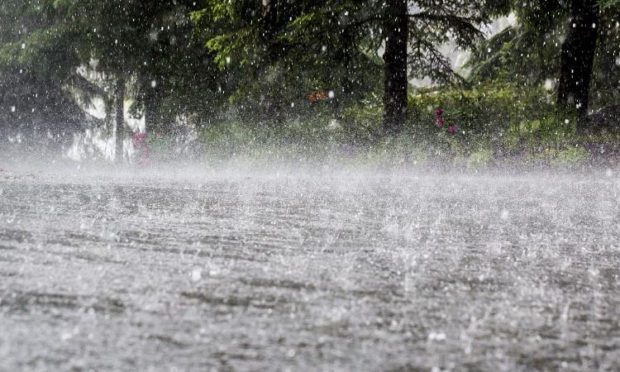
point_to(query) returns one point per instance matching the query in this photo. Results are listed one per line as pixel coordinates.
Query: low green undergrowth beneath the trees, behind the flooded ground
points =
(495, 121)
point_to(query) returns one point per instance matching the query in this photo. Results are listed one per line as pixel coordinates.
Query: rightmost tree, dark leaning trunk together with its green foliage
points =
(571, 42)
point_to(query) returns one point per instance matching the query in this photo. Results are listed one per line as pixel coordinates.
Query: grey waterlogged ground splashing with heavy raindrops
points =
(310, 271)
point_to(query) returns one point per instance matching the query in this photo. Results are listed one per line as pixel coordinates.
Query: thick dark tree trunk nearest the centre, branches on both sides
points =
(395, 70)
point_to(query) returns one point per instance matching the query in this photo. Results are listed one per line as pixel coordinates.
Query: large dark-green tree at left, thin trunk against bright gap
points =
(145, 46)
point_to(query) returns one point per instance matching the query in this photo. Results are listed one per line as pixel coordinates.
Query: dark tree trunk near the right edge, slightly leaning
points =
(578, 58)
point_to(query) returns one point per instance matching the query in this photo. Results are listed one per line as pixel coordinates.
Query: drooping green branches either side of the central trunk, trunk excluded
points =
(274, 52)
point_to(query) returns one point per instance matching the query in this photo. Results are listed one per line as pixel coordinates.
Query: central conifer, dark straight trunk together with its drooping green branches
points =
(300, 33)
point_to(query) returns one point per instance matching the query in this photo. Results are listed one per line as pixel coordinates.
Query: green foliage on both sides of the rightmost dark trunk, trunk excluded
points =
(530, 52)
